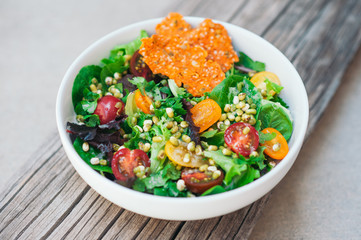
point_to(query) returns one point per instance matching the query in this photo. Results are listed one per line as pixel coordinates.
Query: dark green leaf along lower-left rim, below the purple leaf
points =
(86, 156)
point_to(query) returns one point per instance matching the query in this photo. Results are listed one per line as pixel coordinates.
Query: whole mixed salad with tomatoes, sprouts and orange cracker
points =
(180, 113)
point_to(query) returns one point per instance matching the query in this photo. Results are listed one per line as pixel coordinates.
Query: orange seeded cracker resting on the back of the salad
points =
(196, 58)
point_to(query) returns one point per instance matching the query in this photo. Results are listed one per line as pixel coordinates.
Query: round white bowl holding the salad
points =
(200, 207)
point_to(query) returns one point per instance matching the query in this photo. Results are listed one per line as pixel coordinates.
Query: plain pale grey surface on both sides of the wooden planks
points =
(318, 199)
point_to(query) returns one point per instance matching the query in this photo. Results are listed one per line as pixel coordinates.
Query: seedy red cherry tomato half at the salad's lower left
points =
(124, 161)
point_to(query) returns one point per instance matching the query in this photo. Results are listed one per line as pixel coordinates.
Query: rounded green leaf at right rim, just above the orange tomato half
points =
(275, 116)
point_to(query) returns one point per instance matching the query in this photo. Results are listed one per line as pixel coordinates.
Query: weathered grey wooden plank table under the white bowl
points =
(50, 200)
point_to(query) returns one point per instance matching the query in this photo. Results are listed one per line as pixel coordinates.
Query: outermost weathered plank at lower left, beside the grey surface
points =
(47, 183)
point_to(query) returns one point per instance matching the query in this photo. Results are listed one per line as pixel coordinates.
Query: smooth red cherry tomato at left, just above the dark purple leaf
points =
(108, 108)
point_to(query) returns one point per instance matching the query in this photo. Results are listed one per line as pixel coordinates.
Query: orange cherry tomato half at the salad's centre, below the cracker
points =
(206, 113)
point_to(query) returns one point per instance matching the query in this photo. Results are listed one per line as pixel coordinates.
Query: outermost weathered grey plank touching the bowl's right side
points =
(322, 68)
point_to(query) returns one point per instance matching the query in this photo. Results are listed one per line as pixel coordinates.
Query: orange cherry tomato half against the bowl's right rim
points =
(276, 148)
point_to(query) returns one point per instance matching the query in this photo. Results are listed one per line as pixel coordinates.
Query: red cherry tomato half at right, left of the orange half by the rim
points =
(240, 142)
